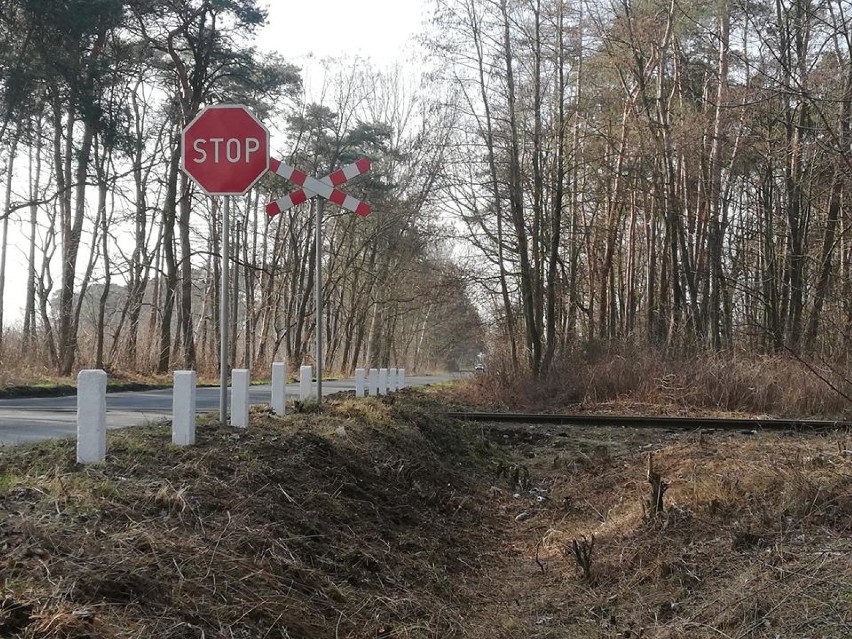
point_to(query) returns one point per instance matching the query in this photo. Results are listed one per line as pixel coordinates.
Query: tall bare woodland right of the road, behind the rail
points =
(669, 173)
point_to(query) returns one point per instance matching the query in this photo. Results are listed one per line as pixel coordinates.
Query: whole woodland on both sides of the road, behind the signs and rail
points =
(671, 174)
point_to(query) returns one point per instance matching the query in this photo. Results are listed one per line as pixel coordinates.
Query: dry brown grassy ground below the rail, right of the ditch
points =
(753, 543)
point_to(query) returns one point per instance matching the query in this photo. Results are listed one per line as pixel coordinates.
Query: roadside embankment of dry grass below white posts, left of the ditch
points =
(351, 522)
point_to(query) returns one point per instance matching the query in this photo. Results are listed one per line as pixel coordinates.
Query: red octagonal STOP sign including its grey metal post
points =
(225, 151)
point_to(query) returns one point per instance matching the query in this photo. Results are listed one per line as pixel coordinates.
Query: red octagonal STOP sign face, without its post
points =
(225, 149)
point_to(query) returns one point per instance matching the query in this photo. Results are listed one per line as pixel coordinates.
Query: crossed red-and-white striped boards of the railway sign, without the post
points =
(325, 187)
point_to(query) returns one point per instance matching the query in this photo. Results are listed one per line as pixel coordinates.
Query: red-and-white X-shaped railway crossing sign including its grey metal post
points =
(322, 189)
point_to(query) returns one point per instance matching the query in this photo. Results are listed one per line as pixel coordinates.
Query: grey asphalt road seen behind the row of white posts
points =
(36, 419)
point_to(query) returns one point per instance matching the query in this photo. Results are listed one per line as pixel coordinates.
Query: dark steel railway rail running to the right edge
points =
(667, 422)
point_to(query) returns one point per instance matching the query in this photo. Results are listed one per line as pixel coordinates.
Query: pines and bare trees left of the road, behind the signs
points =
(123, 248)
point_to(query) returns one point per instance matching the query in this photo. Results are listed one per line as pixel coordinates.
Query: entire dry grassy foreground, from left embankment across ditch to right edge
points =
(384, 519)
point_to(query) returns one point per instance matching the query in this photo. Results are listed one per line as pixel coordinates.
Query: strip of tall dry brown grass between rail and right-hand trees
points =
(639, 380)
